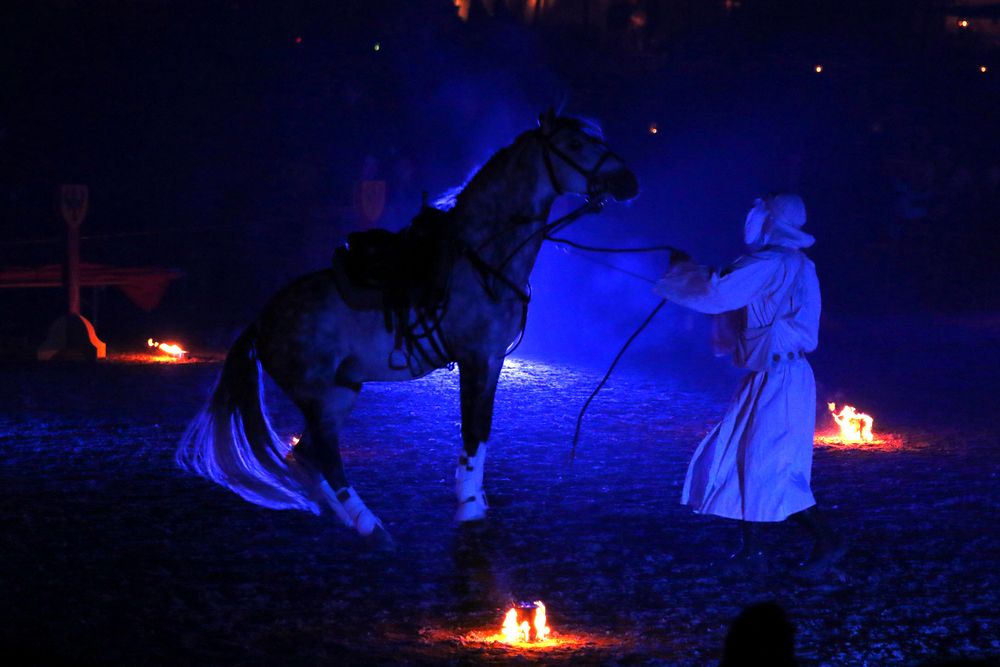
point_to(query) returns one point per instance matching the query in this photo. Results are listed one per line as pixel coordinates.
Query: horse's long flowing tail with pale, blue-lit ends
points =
(231, 441)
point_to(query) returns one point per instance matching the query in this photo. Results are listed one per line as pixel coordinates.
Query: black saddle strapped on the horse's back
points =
(402, 273)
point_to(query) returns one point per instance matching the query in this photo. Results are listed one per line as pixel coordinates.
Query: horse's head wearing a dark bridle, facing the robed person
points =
(579, 162)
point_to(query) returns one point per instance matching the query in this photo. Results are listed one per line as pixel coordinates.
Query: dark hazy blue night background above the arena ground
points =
(225, 139)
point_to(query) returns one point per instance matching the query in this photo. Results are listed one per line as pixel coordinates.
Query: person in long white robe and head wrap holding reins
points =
(755, 465)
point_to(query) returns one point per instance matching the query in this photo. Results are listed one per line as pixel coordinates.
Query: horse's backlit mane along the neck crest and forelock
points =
(489, 180)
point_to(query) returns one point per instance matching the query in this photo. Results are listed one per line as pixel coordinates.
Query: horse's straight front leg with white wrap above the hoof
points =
(478, 380)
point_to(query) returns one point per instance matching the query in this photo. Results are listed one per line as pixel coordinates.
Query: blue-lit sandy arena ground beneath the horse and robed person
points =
(111, 555)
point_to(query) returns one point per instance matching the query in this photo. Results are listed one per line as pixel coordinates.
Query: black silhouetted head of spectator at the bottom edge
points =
(760, 635)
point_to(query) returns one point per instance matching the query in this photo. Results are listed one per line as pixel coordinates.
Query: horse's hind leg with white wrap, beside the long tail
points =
(321, 449)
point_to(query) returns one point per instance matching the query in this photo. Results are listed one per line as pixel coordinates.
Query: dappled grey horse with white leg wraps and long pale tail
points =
(319, 350)
